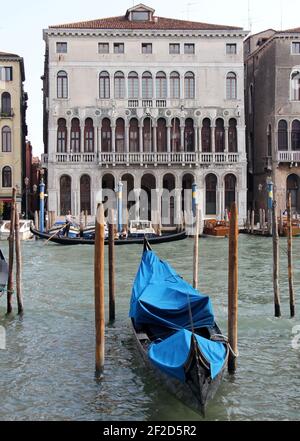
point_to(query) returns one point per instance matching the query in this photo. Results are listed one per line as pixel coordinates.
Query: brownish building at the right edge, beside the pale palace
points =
(272, 100)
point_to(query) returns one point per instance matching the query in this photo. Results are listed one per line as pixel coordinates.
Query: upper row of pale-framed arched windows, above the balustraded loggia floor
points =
(159, 84)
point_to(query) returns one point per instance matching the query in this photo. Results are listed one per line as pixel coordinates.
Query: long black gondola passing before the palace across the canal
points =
(63, 240)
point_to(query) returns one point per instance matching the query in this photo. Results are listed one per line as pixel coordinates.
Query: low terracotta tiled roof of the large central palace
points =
(158, 23)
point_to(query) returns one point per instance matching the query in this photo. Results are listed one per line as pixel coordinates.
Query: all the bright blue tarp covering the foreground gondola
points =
(164, 301)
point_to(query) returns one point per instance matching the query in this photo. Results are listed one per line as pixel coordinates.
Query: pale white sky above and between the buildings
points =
(21, 24)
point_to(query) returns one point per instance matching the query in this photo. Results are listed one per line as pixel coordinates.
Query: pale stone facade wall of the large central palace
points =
(210, 65)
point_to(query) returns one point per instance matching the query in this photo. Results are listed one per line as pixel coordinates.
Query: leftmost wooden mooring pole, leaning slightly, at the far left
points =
(10, 281)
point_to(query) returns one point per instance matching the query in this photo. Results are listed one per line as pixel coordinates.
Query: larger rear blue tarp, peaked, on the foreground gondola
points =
(160, 297)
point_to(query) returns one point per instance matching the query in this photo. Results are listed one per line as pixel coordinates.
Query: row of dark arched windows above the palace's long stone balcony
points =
(207, 133)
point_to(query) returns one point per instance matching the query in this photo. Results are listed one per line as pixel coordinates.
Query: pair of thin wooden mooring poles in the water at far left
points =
(14, 247)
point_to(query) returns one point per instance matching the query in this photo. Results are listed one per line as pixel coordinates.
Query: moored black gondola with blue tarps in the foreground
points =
(176, 333)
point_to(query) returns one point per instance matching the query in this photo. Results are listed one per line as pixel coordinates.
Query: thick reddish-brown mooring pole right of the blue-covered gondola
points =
(233, 288)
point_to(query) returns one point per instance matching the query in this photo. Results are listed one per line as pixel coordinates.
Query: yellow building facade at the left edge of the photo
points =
(13, 129)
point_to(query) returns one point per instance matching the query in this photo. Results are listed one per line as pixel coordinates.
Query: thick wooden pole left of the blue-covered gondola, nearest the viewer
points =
(99, 289)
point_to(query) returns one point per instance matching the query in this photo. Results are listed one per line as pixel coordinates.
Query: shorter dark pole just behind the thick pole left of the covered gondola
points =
(111, 270)
